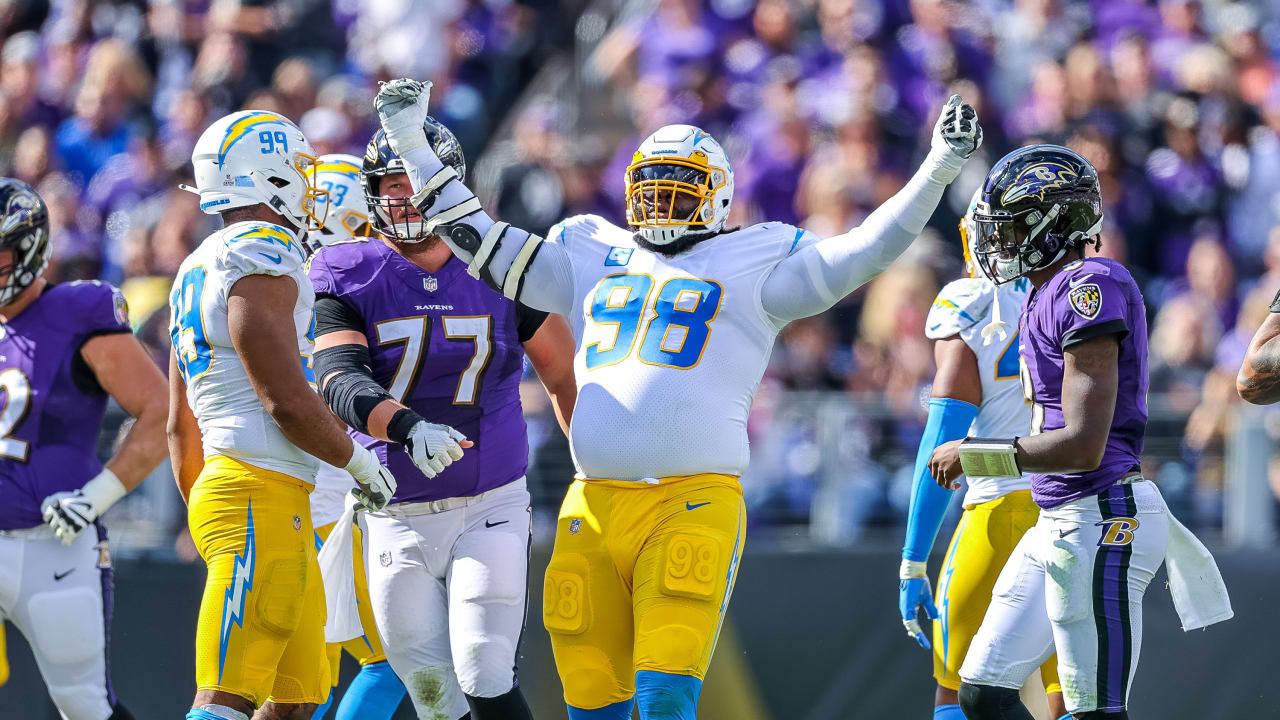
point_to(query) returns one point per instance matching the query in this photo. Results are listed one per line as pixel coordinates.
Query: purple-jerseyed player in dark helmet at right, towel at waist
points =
(1077, 580)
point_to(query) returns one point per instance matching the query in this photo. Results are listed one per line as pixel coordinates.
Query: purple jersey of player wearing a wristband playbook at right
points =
(1087, 299)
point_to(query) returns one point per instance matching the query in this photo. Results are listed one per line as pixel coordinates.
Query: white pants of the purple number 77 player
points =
(449, 584)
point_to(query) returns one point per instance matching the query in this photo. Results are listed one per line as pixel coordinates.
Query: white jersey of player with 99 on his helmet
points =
(232, 418)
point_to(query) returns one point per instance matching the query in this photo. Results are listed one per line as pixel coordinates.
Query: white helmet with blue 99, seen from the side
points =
(258, 158)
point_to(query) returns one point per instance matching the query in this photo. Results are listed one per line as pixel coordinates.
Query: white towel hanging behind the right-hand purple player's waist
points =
(1195, 581)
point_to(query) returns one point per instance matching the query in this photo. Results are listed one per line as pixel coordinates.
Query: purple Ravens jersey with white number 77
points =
(445, 345)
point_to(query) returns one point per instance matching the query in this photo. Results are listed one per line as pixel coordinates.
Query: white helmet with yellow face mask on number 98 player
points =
(691, 172)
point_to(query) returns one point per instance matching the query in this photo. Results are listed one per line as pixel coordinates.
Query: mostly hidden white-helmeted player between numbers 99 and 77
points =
(376, 692)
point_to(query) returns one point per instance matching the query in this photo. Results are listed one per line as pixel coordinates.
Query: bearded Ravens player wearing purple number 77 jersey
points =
(424, 361)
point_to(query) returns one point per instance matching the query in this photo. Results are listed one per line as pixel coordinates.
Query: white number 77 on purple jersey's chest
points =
(417, 335)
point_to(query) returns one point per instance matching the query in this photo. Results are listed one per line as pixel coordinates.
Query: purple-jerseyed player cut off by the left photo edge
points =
(65, 349)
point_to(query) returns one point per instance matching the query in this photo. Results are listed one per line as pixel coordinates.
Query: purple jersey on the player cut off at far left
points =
(52, 409)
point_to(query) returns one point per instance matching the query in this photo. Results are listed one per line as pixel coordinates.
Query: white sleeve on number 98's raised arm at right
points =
(820, 275)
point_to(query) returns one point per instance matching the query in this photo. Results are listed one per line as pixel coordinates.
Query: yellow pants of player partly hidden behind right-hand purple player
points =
(981, 546)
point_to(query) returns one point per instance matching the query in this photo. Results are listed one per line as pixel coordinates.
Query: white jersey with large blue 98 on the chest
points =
(670, 350)
